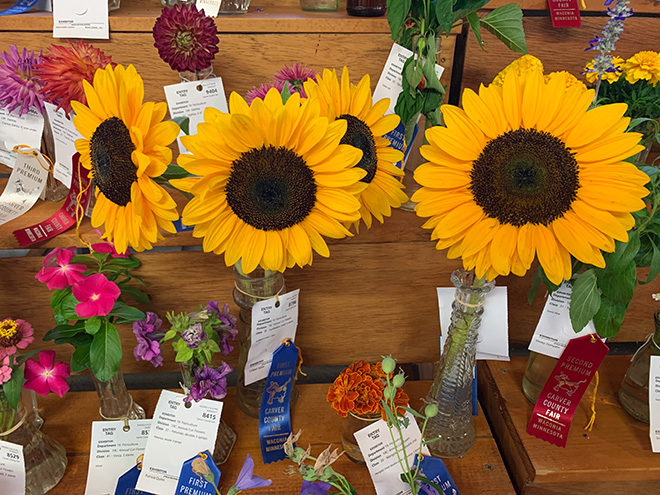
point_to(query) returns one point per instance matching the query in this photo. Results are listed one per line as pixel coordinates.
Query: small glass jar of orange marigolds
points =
(357, 396)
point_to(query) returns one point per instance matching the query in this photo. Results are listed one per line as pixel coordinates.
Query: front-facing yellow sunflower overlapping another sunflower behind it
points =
(271, 179)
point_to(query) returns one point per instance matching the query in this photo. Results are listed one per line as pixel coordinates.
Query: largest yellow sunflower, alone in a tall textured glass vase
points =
(525, 172)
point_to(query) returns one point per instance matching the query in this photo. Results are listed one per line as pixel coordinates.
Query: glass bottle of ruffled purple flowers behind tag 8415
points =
(196, 337)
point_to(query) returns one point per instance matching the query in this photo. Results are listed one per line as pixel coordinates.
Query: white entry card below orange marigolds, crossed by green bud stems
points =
(376, 445)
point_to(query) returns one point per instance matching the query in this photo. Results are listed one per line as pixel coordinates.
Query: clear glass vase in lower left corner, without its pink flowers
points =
(45, 459)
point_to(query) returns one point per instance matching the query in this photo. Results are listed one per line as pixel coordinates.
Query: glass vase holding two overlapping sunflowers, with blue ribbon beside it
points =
(266, 197)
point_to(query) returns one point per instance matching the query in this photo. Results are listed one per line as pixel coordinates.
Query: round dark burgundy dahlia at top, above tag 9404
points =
(186, 38)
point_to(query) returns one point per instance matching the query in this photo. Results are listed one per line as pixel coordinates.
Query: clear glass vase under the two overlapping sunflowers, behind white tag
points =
(251, 288)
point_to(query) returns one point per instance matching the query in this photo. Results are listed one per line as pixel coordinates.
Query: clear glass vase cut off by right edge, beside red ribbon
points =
(634, 391)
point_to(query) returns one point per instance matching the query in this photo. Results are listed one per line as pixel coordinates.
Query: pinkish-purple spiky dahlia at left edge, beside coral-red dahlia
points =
(19, 86)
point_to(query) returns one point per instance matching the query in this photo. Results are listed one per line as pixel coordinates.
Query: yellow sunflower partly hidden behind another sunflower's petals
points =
(367, 126)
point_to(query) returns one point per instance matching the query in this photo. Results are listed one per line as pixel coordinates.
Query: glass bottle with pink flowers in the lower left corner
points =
(45, 459)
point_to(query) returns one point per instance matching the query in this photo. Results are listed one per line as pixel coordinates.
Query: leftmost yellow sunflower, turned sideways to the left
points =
(124, 145)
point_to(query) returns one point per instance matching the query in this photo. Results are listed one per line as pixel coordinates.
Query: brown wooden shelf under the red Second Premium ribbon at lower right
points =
(614, 458)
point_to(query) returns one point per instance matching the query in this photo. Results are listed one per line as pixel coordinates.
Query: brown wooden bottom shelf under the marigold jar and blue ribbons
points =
(481, 471)
